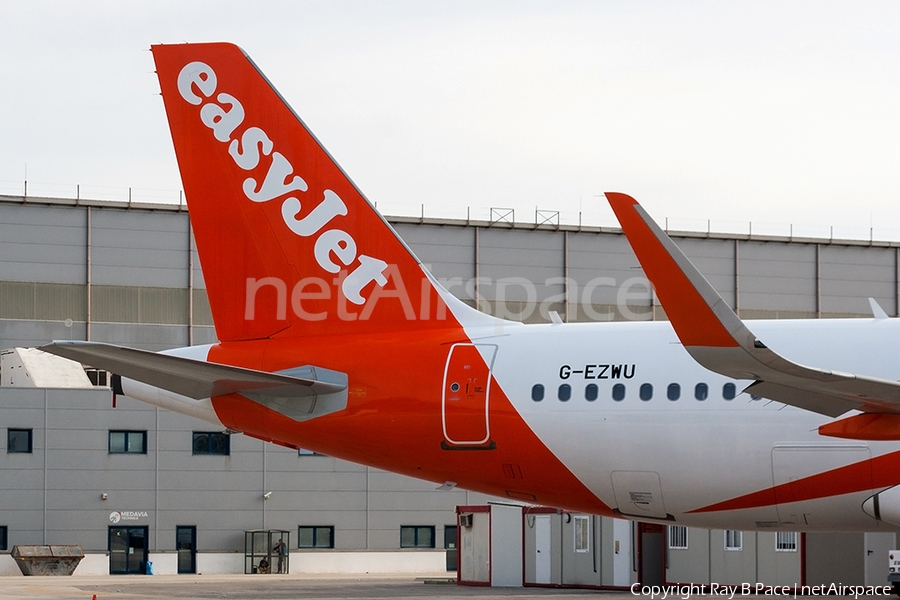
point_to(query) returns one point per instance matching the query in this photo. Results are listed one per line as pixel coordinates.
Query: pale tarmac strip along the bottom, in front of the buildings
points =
(264, 587)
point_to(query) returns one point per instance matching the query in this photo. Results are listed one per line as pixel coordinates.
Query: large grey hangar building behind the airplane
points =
(136, 483)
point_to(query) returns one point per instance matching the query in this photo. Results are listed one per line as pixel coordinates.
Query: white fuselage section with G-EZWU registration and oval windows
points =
(704, 451)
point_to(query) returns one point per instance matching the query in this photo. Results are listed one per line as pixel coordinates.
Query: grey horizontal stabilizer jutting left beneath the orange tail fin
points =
(196, 378)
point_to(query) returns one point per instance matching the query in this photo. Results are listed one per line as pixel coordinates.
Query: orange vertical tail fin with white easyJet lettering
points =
(288, 244)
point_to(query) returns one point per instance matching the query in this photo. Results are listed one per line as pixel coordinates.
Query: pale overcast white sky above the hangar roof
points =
(775, 112)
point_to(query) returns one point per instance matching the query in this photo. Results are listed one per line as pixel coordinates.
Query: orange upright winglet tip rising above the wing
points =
(670, 273)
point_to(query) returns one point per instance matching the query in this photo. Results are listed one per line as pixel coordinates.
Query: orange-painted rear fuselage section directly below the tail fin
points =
(393, 418)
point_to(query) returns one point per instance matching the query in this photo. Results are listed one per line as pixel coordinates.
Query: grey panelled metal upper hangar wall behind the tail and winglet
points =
(131, 275)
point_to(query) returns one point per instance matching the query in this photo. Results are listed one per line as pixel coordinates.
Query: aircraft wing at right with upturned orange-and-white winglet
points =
(720, 341)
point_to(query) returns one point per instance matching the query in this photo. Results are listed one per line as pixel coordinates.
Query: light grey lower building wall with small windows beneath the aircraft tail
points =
(54, 494)
